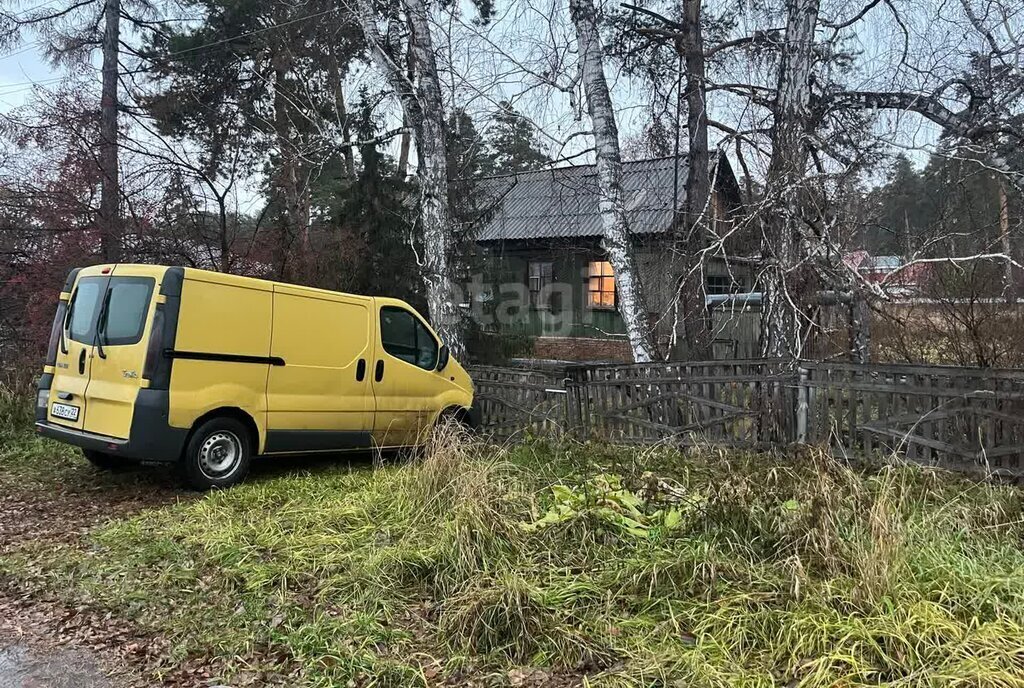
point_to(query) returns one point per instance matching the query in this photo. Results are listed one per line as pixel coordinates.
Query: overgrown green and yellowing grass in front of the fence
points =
(646, 569)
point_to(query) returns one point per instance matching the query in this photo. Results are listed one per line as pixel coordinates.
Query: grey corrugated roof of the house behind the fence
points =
(563, 202)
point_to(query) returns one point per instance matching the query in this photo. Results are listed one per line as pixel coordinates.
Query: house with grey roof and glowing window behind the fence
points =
(540, 233)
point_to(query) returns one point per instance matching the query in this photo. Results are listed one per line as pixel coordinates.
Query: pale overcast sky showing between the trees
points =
(488, 69)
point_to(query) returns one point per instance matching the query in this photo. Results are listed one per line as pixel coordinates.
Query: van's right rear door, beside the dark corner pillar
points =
(121, 334)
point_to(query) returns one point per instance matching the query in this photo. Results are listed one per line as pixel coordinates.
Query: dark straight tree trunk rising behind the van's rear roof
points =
(110, 195)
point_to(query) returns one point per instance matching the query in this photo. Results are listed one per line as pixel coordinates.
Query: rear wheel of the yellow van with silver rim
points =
(218, 455)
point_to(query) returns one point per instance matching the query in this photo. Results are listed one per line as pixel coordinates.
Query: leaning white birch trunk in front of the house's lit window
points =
(617, 241)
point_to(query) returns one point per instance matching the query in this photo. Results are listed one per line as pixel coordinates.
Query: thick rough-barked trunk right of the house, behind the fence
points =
(782, 315)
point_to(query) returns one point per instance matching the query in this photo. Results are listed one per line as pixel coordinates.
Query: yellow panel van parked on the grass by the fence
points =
(175, 365)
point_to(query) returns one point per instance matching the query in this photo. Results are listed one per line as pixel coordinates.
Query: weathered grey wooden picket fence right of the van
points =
(965, 419)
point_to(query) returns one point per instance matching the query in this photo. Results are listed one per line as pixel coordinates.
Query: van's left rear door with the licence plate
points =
(74, 356)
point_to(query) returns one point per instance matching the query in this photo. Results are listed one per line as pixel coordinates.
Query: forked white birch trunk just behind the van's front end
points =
(424, 110)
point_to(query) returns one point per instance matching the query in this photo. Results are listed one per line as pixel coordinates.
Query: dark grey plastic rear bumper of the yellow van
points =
(151, 438)
